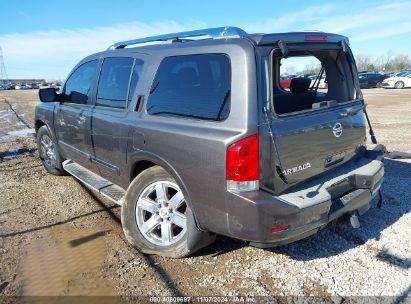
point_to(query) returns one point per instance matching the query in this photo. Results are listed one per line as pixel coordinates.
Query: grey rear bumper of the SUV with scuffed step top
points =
(306, 209)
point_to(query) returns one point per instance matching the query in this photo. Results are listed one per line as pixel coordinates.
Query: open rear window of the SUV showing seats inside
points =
(310, 80)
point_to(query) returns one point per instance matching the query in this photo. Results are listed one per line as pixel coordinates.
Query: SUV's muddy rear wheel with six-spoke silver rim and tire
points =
(155, 217)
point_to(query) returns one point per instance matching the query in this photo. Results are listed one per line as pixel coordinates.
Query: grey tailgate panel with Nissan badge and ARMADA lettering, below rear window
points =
(309, 144)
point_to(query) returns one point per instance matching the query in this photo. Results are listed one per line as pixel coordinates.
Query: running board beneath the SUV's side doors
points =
(94, 181)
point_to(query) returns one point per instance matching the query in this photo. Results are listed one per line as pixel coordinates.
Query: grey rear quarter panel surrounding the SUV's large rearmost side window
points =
(194, 151)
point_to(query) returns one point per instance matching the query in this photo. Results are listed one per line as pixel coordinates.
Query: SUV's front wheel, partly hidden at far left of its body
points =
(48, 152)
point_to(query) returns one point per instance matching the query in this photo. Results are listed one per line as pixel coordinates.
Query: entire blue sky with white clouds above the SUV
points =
(45, 39)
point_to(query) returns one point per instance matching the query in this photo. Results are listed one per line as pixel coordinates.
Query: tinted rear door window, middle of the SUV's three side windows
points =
(113, 82)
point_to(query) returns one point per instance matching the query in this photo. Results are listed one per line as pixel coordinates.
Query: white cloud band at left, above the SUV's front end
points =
(51, 54)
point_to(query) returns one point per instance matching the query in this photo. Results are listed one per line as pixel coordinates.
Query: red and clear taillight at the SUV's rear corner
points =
(243, 164)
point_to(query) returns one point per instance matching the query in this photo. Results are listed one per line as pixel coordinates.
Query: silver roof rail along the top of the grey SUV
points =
(214, 33)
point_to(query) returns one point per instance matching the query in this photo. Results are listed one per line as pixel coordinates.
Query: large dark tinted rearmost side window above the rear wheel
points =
(194, 86)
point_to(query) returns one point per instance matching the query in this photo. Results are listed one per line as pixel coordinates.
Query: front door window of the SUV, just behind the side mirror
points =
(79, 83)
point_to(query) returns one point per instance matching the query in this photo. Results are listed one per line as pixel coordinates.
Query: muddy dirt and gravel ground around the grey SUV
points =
(59, 238)
